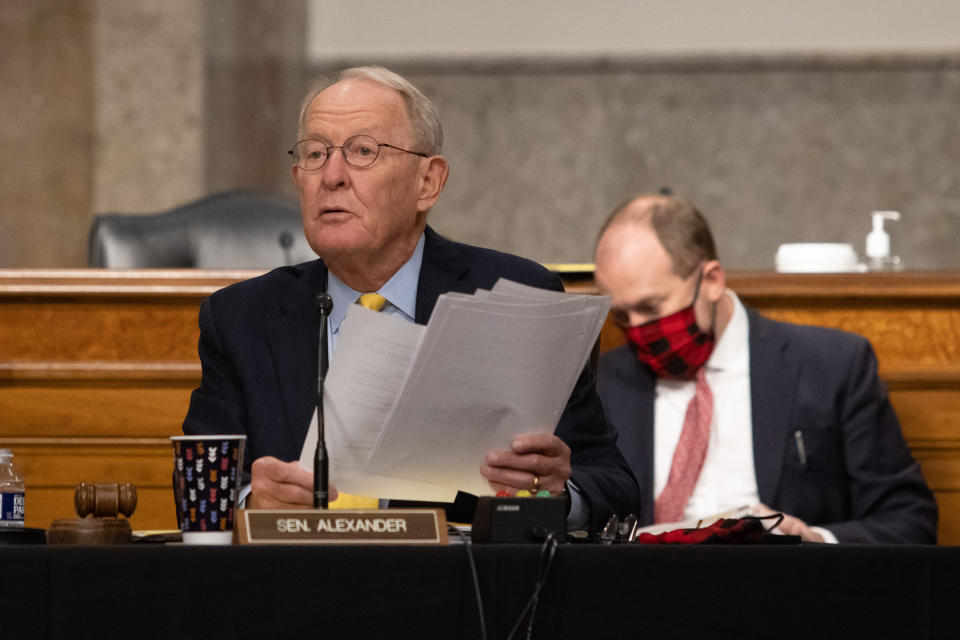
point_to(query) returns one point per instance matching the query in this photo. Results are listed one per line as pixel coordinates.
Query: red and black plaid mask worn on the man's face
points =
(674, 346)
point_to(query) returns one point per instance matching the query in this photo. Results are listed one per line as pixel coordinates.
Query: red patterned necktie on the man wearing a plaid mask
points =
(689, 455)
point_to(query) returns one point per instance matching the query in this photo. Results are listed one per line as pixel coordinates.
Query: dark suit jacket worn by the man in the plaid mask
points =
(859, 480)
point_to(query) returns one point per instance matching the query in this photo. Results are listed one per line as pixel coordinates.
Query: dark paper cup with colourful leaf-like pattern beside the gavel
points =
(206, 480)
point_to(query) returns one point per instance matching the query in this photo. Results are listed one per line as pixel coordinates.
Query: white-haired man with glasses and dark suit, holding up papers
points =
(368, 169)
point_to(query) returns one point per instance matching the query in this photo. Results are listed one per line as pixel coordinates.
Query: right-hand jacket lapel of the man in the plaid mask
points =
(774, 372)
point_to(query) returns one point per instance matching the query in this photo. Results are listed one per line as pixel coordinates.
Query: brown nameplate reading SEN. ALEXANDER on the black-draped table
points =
(341, 526)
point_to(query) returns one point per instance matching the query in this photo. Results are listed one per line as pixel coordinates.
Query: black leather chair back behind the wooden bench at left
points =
(229, 230)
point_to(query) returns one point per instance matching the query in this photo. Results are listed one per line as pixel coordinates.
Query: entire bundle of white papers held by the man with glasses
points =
(410, 411)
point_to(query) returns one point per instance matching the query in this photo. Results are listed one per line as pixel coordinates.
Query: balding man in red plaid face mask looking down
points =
(717, 407)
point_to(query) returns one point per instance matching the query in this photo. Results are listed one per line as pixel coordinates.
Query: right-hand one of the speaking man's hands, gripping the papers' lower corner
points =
(534, 461)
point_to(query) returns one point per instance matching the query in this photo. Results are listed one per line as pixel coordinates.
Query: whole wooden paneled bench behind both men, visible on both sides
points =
(96, 369)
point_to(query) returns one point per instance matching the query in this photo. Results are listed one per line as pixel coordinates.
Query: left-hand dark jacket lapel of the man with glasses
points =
(293, 344)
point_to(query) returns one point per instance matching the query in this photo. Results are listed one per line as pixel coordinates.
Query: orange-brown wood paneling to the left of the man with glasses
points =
(96, 369)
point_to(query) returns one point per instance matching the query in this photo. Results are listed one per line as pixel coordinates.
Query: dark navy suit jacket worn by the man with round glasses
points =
(258, 351)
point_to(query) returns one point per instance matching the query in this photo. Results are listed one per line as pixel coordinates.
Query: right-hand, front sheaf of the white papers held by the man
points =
(485, 372)
